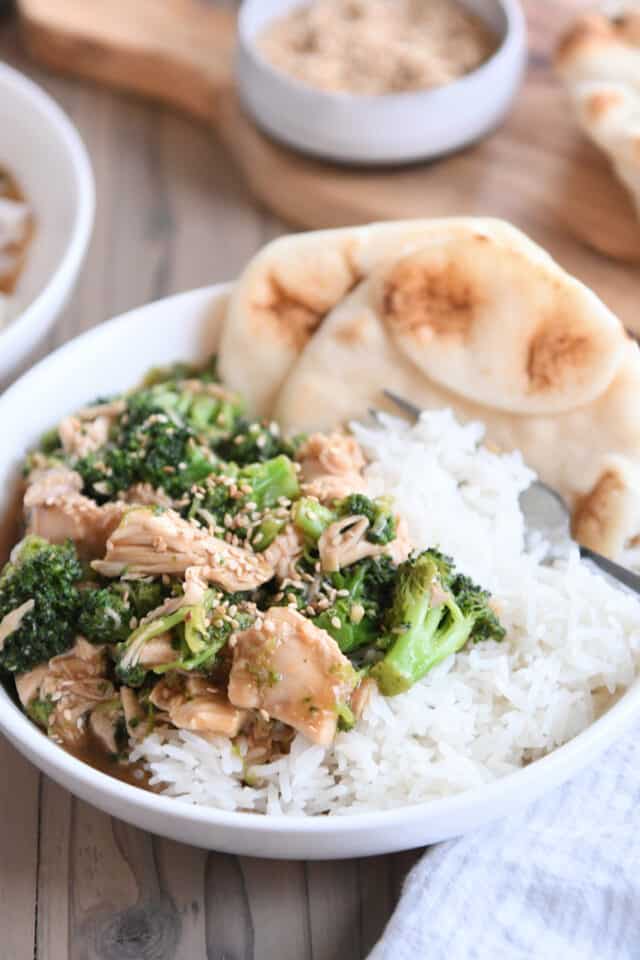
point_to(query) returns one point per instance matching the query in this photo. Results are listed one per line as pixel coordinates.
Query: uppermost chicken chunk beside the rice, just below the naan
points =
(331, 467)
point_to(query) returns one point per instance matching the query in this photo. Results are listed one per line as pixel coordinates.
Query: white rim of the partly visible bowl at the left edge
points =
(69, 263)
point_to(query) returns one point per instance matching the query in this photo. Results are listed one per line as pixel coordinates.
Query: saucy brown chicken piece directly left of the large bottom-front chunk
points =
(193, 703)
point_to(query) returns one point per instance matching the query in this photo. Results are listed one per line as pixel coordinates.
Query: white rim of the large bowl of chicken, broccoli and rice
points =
(75, 774)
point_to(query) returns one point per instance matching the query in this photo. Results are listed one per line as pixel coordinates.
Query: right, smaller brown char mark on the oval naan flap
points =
(555, 356)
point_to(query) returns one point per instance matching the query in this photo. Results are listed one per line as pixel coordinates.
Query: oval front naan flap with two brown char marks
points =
(499, 324)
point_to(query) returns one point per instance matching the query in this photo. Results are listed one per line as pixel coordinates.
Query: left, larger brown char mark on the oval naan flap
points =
(427, 301)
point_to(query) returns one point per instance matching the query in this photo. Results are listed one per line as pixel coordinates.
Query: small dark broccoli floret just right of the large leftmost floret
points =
(105, 613)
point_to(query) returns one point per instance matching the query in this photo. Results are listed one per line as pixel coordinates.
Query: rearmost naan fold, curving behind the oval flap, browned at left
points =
(286, 291)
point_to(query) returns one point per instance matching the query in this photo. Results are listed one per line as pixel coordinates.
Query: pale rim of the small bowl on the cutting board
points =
(513, 36)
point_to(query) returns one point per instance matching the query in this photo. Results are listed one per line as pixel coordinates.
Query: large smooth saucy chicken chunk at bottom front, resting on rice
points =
(294, 671)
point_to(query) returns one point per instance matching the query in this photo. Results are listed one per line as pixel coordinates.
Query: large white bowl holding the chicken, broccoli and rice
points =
(110, 358)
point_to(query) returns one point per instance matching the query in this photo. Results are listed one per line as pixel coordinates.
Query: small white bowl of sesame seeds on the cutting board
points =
(387, 129)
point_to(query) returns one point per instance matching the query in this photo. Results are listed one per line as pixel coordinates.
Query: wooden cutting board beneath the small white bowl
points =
(536, 170)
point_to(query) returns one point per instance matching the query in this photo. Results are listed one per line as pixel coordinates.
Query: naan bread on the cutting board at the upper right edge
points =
(599, 61)
